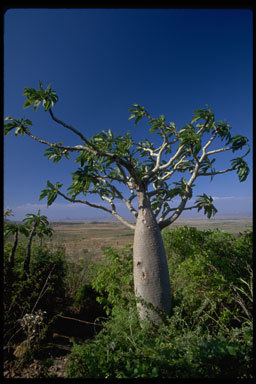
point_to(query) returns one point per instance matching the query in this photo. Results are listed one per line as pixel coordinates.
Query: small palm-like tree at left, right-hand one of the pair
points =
(35, 221)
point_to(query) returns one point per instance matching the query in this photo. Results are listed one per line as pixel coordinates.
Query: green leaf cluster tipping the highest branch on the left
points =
(35, 97)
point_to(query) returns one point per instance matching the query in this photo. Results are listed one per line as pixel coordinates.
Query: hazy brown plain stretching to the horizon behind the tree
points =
(89, 237)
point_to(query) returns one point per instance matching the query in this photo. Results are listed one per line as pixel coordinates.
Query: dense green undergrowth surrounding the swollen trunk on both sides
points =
(208, 334)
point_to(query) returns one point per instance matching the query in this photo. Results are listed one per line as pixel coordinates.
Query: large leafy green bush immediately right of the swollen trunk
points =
(206, 271)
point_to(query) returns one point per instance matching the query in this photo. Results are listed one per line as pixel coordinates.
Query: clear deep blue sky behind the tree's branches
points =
(100, 62)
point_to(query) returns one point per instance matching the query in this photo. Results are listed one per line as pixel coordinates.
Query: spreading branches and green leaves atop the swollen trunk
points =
(107, 160)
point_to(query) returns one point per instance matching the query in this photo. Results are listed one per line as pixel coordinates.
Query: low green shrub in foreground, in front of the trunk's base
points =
(124, 349)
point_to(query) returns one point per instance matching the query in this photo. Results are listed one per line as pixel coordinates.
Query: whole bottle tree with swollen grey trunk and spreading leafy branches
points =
(148, 179)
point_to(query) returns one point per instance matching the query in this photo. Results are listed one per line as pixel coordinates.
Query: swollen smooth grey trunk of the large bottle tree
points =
(150, 269)
